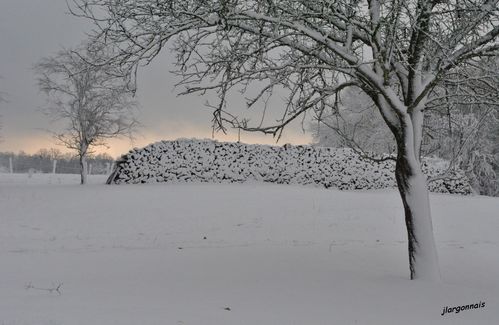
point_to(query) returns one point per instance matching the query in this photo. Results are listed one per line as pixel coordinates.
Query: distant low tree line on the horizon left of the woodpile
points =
(43, 162)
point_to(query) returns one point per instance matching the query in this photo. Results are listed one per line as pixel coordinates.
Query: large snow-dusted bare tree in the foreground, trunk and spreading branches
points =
(397, 52)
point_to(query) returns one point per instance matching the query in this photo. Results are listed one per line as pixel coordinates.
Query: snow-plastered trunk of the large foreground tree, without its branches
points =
(411, 181)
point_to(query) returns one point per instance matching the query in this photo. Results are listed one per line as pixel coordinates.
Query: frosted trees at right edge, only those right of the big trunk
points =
(461, 121)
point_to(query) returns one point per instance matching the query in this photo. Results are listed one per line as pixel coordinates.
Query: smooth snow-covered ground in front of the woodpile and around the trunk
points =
(218, 254)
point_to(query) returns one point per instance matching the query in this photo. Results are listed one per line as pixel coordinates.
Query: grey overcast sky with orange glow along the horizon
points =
(32, 29)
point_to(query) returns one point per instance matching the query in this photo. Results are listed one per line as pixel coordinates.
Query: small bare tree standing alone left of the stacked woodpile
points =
(93, 100)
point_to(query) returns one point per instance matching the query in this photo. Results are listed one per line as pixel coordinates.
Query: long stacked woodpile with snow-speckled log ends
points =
(226, 162)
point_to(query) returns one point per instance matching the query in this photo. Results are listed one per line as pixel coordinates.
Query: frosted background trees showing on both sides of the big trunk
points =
(459, 127)
